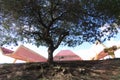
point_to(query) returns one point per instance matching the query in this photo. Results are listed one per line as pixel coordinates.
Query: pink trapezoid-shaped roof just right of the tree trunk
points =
(66, 55)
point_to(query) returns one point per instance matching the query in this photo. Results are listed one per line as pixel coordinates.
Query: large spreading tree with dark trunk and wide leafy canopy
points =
(57, 22)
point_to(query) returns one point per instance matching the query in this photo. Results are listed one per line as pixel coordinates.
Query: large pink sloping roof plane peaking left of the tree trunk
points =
(25, 54)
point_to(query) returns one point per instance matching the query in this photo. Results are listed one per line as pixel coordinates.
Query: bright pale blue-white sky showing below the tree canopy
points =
(86, 50)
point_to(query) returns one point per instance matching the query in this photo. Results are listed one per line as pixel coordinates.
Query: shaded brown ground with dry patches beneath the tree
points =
(73, 70)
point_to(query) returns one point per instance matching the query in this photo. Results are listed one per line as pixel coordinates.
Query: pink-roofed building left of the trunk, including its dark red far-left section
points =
(24, 54)
